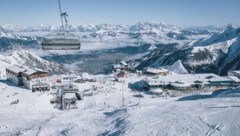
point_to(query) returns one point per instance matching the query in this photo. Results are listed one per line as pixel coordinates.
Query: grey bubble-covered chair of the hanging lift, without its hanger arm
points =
(61, 41)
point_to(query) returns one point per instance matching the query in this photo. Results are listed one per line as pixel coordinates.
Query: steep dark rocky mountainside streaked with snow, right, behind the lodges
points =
(217, 53)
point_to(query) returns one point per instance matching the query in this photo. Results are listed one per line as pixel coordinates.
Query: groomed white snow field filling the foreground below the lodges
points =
(28, 114)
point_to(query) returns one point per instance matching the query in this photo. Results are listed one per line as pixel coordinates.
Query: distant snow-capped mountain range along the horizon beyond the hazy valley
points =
(141, 32)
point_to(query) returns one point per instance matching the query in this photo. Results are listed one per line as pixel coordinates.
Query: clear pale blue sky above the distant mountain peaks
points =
(178, 12)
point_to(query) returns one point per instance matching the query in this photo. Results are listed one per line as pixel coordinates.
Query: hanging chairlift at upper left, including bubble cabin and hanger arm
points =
(62, 40)
